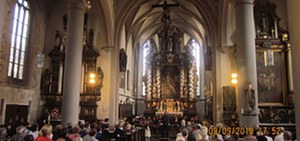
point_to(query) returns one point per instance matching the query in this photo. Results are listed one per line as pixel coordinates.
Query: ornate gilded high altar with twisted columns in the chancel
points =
(171, 75)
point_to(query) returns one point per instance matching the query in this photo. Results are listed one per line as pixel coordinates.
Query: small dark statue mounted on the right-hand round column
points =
(250, 98)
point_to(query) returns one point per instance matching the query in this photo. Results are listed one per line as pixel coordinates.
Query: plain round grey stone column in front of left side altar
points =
(73, 61)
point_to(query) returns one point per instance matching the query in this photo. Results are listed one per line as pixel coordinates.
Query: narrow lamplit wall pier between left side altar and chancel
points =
(103, 61)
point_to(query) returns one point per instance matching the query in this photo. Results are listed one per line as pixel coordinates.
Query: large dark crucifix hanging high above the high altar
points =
(165, 19)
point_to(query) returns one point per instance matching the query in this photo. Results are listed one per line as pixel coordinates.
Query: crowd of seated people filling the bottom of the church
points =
(150, 128)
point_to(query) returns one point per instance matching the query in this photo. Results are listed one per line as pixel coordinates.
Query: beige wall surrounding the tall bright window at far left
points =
(29, 93)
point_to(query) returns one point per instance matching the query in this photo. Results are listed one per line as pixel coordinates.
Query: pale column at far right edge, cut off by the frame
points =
(294, 28)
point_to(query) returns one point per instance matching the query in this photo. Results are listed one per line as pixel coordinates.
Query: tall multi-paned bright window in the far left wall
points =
(19, 40)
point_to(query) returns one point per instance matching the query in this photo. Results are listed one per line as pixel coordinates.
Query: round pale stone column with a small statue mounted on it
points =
(246, 57)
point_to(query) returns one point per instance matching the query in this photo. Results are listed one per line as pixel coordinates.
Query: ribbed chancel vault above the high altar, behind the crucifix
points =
(197, 18)
